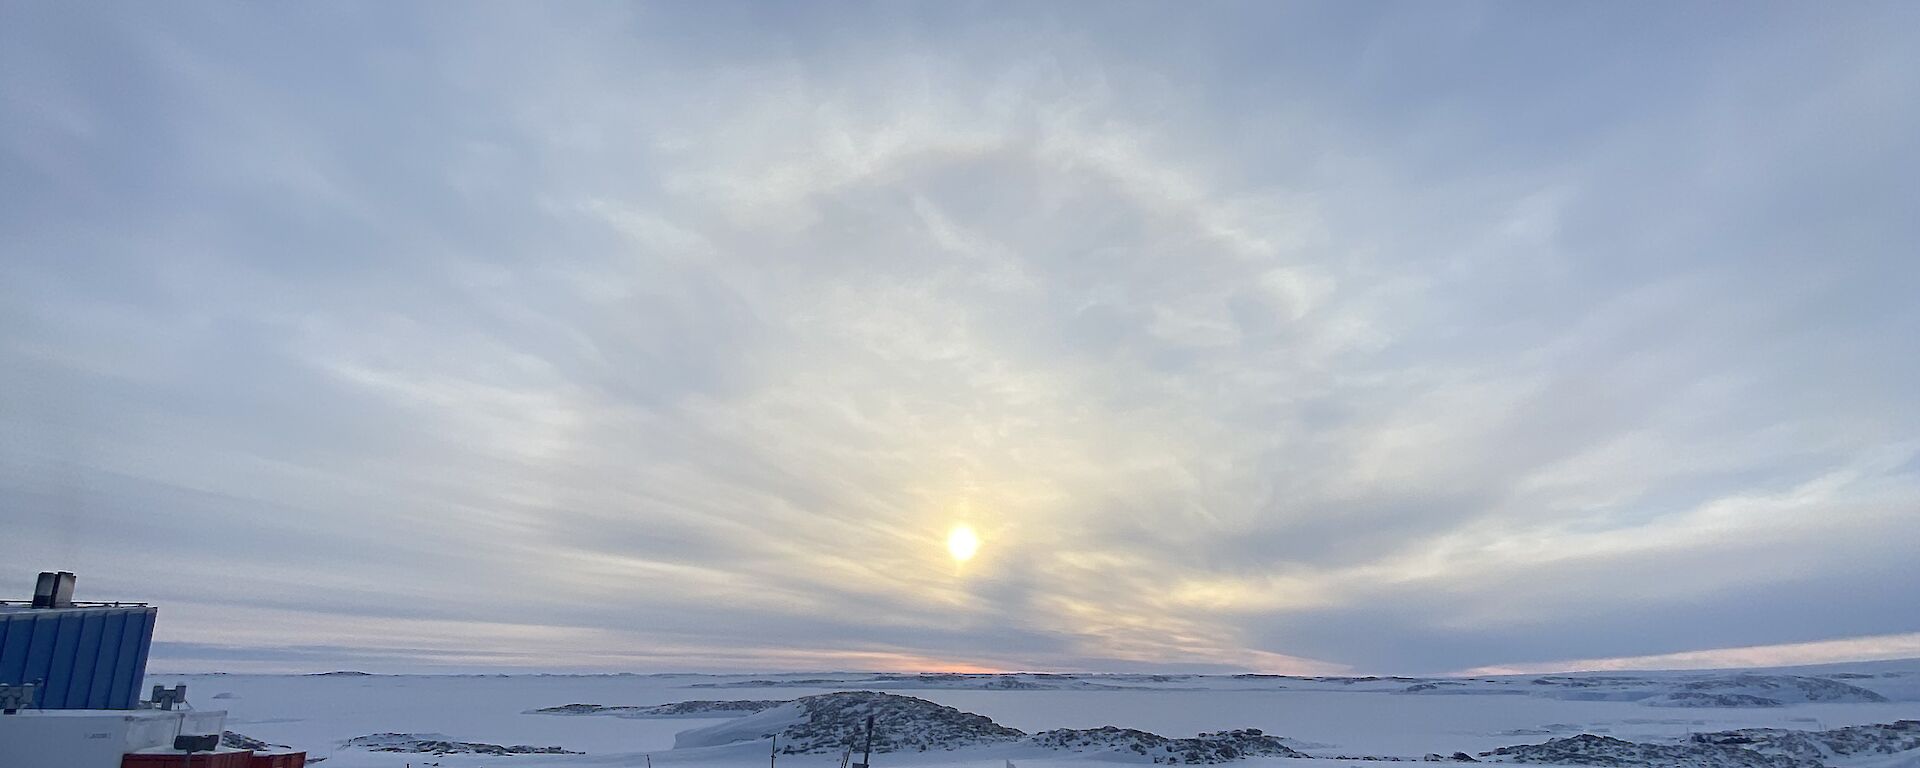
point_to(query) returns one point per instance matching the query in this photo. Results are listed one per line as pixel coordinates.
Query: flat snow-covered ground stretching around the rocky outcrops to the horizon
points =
(1322, 717)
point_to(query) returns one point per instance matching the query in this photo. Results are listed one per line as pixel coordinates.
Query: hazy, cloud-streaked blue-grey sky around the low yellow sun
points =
(1284, 337)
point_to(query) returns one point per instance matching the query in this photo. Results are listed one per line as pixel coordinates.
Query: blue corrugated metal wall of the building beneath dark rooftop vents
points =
(78, 658)
